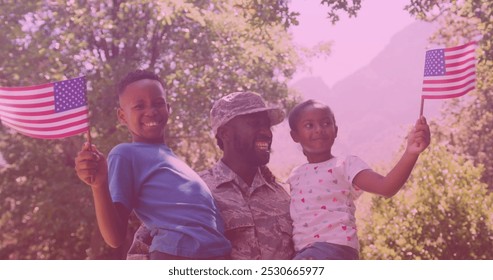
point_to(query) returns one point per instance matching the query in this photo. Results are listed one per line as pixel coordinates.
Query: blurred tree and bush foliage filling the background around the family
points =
(205, 49)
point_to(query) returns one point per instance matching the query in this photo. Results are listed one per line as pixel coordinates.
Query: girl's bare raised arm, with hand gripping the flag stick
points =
(418, 141)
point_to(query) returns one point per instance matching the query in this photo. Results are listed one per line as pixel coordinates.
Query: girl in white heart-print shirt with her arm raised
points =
(324, 189)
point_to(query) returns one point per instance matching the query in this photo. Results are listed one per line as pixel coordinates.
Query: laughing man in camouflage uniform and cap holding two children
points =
(254, 207)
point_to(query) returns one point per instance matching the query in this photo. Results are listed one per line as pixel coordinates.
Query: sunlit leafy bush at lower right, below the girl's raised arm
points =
(444, 212)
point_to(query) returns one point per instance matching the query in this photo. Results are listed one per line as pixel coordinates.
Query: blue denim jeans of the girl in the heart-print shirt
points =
(327, 251)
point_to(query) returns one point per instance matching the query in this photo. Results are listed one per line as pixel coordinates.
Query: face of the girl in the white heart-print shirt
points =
(315, 131)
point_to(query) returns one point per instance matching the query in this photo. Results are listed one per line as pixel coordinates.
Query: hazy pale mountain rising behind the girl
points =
(374, 107)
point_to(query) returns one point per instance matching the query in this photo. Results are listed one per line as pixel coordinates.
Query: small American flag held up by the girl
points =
(449, 72)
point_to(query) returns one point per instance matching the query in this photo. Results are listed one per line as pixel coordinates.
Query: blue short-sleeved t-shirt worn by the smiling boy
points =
(169, 198)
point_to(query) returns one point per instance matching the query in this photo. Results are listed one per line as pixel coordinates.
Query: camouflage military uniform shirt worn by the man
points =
(256, 218)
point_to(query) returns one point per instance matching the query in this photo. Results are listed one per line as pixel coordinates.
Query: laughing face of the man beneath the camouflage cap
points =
(251, 138)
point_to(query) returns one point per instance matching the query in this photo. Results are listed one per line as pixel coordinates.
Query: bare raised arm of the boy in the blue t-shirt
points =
(91, 168)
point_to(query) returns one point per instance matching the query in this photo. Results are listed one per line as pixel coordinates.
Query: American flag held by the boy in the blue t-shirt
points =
(49, 111)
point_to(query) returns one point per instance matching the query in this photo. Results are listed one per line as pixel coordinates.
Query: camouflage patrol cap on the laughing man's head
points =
(241, 103)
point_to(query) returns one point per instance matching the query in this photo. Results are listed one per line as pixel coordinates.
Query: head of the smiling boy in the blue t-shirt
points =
(143, 109)
